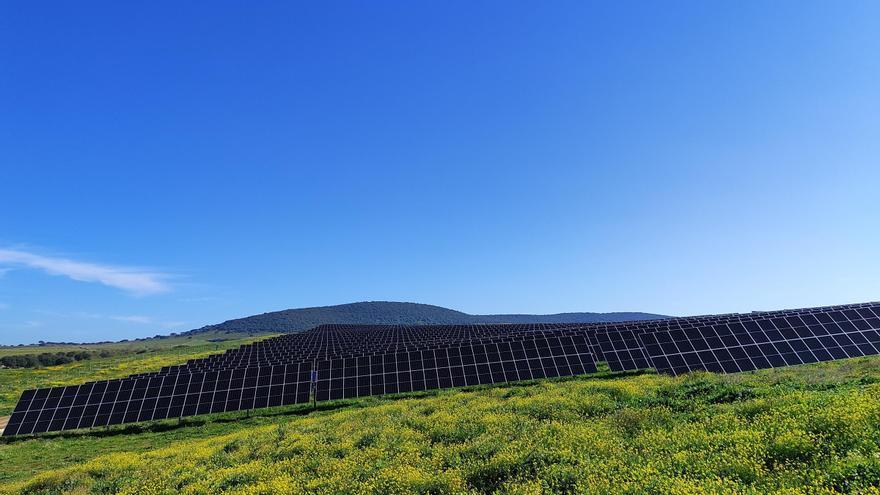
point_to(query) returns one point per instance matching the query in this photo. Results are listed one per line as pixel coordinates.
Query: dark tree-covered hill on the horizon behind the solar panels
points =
(384, 312)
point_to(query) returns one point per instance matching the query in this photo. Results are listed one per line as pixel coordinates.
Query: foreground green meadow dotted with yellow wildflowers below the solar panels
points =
(806, 429)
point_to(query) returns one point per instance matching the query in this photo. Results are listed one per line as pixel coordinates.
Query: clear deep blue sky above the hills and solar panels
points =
(173, 164)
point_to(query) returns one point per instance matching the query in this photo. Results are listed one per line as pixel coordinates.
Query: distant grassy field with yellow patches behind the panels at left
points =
(131, 357)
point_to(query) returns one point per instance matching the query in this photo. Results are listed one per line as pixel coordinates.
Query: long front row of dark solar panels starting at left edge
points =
(186, 394)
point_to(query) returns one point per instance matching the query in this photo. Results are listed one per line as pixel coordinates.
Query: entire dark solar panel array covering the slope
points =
(343, 361)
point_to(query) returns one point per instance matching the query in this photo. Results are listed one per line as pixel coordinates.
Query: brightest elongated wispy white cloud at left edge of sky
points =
(133, 280)
